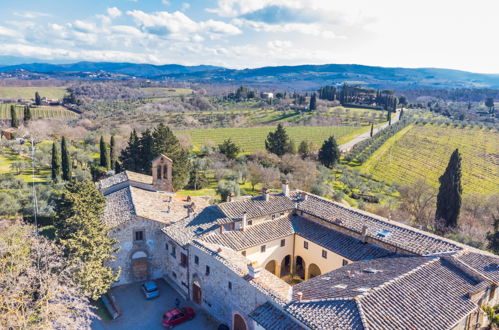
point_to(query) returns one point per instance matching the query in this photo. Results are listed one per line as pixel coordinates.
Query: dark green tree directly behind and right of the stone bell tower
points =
(166, 143)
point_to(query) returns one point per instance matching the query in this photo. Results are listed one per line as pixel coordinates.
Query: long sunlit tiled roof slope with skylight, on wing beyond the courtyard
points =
(395, 234)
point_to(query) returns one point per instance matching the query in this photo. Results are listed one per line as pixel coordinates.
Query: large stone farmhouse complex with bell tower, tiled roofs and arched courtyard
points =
(293, 260)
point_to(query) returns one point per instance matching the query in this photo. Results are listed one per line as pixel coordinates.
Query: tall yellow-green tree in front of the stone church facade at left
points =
(84, 238)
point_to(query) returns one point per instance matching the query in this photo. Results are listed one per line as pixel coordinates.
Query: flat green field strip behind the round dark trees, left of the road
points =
(253, 138)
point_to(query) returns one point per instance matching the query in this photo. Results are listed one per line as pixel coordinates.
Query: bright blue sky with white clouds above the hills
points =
(453, 34)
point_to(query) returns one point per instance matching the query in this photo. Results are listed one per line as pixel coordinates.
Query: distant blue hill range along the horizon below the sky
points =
(302, 77)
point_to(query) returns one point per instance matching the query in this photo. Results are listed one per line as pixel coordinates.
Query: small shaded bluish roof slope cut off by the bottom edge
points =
(271, 317)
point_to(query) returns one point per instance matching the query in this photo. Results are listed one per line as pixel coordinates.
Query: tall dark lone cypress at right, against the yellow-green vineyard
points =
(449, 195)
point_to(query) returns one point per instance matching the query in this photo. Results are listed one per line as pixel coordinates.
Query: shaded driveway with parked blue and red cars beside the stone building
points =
(139, 313)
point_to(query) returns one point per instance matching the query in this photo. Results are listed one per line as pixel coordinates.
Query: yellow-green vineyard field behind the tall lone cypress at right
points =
(422, 152)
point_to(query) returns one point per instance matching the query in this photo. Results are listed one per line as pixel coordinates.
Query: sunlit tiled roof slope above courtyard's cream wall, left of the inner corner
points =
(253, 235)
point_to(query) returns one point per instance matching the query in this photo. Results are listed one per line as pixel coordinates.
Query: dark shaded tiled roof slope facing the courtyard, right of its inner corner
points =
(342, 244)
